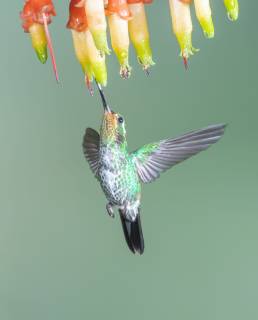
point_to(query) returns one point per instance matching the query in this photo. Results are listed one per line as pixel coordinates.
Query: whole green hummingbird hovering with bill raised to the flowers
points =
(120, 172)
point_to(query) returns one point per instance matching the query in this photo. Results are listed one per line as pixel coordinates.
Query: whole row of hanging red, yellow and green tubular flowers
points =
(127, 22)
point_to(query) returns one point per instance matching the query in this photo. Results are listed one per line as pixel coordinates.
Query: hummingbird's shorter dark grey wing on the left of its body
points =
(91, 148)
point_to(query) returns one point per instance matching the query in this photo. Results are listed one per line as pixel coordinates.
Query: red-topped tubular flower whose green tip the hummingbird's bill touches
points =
(92, 62)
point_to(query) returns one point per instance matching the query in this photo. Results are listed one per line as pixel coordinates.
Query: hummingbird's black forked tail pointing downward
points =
(133, 233)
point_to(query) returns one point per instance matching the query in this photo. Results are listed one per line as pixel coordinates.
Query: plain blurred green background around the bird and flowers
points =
(62, 257)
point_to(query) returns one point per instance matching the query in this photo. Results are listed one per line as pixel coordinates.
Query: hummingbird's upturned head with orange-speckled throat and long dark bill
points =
(113, 125)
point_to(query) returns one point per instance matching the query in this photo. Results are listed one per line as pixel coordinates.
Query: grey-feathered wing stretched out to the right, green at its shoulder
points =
(154, 158)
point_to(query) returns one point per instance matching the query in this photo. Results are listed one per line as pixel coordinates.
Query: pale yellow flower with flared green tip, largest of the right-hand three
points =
(182, 27)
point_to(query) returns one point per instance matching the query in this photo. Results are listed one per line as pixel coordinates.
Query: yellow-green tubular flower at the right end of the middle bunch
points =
(139, 33)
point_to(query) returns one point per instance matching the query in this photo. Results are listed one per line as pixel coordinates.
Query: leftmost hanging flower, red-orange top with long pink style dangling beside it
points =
(36, 15)
